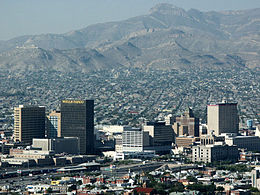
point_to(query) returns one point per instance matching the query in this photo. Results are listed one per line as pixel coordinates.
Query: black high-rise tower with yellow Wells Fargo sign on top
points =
(77, 120)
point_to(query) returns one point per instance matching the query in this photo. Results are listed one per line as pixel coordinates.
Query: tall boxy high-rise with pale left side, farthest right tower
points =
(223, 118)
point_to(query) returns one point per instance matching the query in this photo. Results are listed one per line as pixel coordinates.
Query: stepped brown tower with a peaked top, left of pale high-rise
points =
(187, 124)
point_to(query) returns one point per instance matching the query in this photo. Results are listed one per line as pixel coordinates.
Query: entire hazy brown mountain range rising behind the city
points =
(167, 37)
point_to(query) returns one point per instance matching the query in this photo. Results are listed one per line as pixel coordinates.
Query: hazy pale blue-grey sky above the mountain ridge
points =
(24, 17)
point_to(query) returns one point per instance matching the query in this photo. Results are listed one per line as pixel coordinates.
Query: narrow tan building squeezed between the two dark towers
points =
(54, 124)
